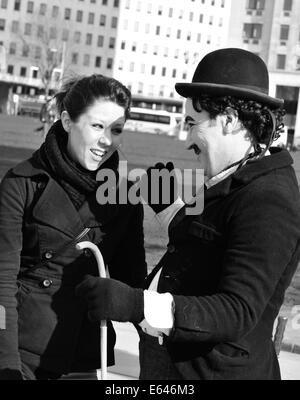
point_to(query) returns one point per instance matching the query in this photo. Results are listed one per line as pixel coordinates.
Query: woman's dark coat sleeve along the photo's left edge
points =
(12, 199)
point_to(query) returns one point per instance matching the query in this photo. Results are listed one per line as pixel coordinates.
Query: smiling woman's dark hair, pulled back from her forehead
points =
(77, 94)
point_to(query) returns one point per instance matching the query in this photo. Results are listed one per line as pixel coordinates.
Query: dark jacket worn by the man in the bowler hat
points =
(228, 269)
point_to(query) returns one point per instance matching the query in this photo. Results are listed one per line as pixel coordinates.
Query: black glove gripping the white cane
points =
(111, 299)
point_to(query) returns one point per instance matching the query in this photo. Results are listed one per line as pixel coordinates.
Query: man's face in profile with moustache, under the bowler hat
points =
(217, 142)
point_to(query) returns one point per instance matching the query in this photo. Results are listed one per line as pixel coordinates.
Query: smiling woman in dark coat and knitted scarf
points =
(47, 204)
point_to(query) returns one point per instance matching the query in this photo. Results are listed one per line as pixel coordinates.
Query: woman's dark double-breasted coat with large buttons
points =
(46, 325)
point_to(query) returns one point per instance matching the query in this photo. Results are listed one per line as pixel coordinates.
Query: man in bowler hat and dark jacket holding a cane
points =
(208, 307)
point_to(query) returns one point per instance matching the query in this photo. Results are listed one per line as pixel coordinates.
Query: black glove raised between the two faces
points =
(157, 186)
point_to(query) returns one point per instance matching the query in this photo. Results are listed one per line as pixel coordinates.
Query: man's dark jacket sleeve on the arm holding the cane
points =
(261, 255)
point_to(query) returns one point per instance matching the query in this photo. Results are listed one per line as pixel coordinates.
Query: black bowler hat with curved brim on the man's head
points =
(231, 72)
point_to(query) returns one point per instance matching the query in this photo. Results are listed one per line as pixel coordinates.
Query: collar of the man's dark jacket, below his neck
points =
(279, 158)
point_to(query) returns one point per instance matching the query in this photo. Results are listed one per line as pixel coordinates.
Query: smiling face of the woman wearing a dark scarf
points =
(96, 134)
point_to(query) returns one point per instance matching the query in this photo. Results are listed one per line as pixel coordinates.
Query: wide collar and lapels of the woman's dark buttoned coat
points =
(53, 199)
